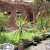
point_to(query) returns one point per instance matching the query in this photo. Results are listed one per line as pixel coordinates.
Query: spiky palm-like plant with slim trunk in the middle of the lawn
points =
(22, 26)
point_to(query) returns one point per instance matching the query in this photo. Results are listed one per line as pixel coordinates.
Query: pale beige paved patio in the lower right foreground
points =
(40, 46)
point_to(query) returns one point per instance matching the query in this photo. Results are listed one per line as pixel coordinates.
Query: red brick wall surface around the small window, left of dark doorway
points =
(4, 6)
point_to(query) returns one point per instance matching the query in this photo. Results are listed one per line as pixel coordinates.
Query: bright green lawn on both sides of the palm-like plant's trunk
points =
(11, 37)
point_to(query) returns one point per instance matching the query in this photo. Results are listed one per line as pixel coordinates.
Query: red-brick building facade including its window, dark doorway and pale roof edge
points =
(23, 8)
